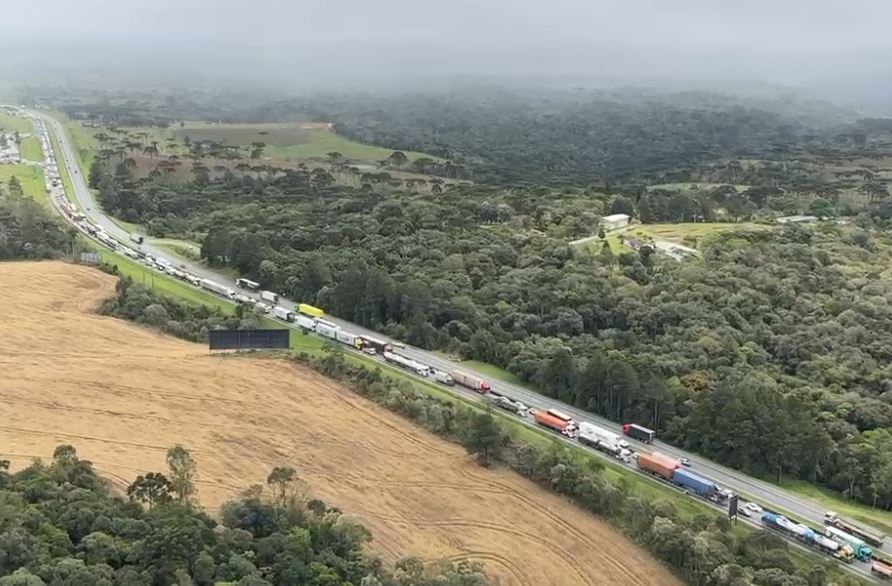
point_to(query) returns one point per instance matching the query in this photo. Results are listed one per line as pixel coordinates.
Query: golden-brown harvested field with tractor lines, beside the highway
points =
(123, 394)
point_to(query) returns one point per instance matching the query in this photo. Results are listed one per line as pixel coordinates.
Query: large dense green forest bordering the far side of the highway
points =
(784, 331)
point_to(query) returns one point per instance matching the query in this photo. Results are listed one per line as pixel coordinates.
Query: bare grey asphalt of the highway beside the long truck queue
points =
(764, 493)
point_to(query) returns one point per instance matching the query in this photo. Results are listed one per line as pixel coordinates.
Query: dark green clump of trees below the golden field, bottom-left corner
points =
(62, 525)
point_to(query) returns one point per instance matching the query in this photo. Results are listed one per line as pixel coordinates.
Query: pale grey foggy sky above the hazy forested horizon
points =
(820, 44)
